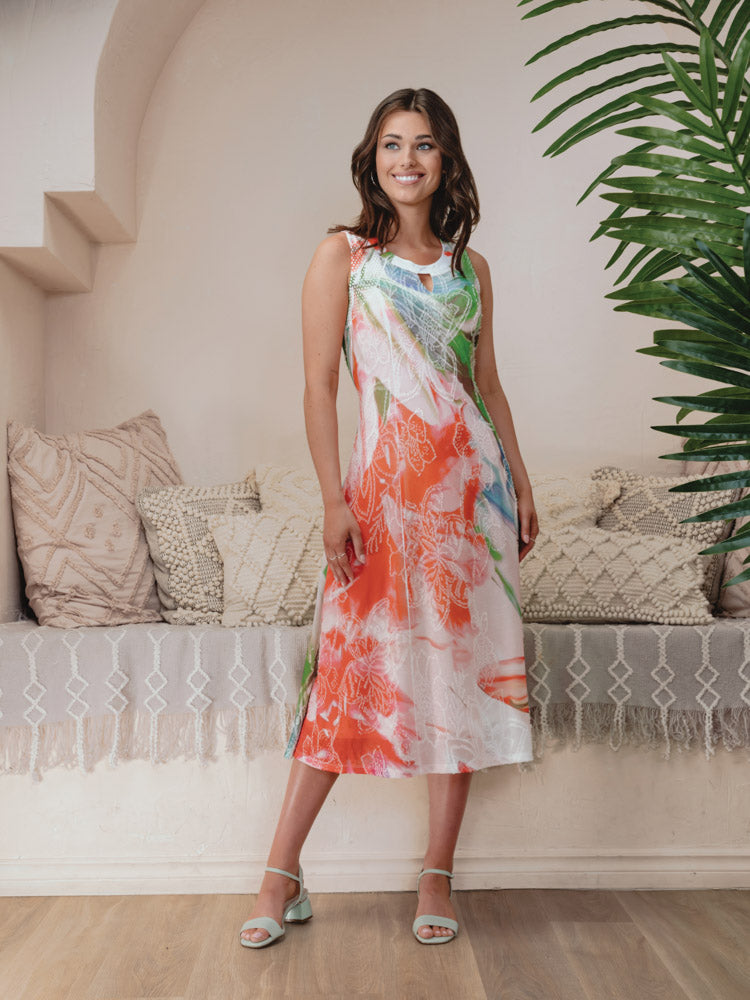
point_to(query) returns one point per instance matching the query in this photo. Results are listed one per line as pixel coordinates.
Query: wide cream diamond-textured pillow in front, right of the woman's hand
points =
(579, 573)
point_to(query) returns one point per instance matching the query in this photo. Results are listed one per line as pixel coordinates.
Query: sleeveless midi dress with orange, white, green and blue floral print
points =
(417, 665)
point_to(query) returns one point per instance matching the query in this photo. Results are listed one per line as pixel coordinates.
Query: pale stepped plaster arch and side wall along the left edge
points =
(71, 122)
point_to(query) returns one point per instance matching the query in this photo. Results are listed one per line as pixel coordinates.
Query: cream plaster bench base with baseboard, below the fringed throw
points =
(589, 819)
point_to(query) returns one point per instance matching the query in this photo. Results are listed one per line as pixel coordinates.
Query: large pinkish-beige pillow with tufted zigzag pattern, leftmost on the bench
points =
(80, 540)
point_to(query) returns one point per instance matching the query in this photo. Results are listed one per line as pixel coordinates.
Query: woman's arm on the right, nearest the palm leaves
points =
(488, 383)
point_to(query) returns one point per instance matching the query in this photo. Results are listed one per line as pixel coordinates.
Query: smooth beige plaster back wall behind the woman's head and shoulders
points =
(243, 162)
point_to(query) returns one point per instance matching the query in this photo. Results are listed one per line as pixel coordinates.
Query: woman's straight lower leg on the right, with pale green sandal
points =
(448, 794)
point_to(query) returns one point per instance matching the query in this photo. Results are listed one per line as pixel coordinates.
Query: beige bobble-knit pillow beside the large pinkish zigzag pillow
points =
(187, 564)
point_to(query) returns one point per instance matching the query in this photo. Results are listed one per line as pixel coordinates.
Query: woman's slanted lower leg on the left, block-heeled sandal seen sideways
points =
(306, 791)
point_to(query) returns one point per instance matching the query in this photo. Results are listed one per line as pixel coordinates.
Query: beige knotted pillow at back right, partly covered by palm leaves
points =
(646, 505)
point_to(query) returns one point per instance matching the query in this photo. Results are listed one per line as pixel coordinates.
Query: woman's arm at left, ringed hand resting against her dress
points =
(325, 299)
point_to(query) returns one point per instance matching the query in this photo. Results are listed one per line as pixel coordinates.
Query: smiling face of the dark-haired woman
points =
(408, 162)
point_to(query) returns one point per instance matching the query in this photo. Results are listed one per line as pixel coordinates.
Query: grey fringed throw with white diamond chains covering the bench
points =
(157, 691)
